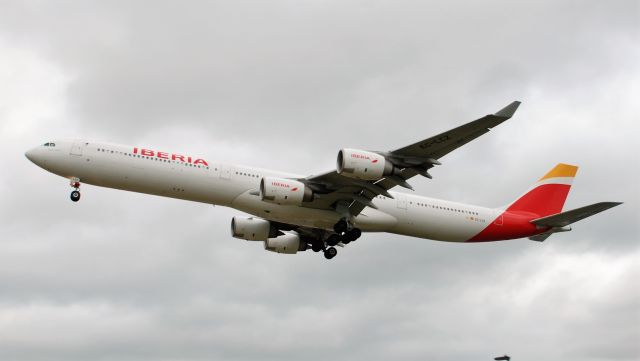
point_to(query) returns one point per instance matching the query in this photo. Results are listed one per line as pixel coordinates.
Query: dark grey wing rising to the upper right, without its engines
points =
(349, 195)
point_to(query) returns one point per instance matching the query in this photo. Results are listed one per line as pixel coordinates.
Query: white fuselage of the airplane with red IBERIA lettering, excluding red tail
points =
(119, 167)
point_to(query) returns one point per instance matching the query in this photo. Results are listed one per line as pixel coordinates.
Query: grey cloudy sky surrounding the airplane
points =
(284, 85)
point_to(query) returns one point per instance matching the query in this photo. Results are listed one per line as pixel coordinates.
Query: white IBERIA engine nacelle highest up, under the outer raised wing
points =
(360, 164)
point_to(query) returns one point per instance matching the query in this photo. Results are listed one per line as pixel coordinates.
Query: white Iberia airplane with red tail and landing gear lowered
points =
(292, 213)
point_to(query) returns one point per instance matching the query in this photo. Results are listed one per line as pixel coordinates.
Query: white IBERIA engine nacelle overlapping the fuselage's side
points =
(284, 191)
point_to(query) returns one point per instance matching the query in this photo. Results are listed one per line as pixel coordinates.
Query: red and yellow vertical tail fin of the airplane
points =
(547, 196)
